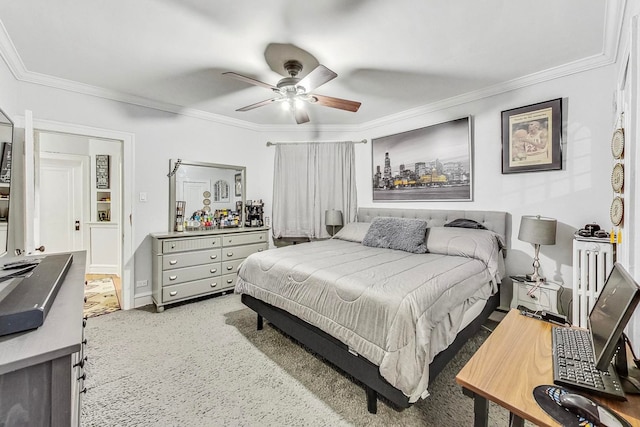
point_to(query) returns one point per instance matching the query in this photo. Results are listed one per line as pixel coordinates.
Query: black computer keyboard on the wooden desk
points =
(574, 365)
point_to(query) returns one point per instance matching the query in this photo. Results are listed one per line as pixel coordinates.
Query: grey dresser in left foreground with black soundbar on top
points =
(42, 370)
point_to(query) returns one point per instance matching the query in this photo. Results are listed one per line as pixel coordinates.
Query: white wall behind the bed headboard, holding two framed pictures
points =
(576, 195)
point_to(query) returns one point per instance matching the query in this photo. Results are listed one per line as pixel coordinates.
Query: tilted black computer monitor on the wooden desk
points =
(611, 313)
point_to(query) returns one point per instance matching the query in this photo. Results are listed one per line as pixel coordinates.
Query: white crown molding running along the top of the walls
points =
(614, 14)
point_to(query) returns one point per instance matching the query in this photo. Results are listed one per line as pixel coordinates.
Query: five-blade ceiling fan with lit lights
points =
(293, 90)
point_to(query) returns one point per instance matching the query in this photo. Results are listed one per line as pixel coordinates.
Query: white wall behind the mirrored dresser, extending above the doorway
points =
(159, 136)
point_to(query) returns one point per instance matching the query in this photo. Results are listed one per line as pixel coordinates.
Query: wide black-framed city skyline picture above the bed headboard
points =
(426, 164)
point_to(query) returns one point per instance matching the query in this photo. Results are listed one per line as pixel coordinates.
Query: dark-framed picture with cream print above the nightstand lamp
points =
(532, 137)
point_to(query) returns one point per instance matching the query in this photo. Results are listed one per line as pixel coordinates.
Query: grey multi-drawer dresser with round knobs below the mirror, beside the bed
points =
(188, 265)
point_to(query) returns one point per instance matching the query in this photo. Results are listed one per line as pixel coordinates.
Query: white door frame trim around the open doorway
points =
(127, 140)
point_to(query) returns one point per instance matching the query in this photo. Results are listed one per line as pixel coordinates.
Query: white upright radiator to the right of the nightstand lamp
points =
(592, 263)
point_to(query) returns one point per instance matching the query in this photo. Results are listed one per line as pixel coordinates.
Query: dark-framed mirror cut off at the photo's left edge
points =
(6, 144)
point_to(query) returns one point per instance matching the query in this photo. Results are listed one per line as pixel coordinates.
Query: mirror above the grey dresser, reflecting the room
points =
(198, 189)
